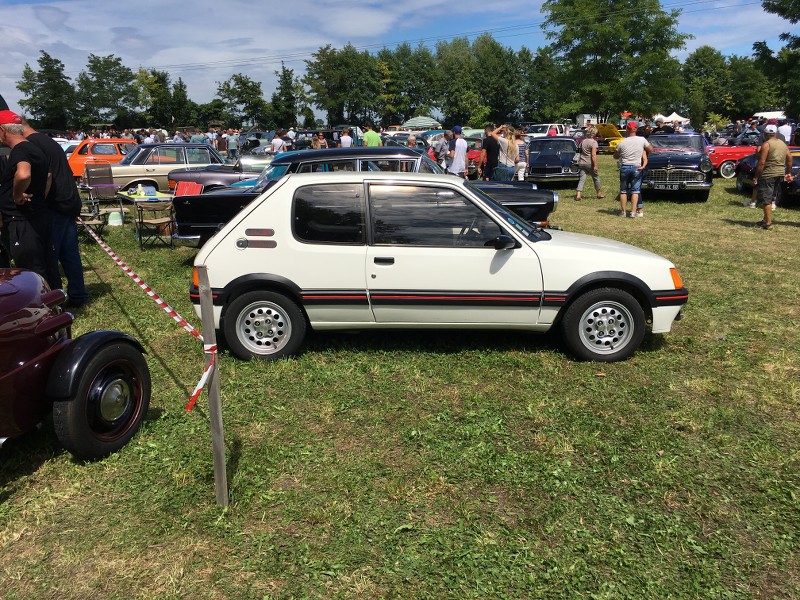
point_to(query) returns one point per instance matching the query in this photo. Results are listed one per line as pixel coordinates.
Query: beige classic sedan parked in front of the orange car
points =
(150, 164)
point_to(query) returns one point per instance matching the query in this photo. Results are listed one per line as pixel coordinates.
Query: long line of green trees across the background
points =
(604, 57)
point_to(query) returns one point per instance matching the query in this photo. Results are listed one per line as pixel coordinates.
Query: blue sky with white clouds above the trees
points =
(205, 41)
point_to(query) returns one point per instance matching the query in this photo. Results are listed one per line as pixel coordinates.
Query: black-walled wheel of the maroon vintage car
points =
(109, 405)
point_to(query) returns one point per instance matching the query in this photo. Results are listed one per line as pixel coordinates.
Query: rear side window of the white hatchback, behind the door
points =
(329, 214)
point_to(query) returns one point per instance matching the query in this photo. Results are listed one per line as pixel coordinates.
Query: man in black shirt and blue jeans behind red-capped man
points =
(63, 204)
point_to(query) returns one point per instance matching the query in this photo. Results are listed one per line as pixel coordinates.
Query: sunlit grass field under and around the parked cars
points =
(447, 465)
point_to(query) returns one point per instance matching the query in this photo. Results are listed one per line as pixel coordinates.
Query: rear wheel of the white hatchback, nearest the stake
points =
(264, 325)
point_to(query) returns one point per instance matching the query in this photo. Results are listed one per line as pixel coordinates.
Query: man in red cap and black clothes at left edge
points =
(23, 187)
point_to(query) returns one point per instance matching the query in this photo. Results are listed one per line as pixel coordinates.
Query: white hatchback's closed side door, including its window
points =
(432, 260)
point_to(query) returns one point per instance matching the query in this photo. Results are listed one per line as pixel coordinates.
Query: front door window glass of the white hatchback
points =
(427, 216)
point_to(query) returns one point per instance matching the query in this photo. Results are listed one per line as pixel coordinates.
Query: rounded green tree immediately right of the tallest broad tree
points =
(707, 78)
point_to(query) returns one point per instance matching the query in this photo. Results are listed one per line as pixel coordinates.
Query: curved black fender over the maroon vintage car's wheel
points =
(66, 371)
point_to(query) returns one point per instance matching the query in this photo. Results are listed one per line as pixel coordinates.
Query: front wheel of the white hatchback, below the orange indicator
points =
(603, 325)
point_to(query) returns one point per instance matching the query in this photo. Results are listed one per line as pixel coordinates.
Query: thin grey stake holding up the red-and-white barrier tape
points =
(214, 402)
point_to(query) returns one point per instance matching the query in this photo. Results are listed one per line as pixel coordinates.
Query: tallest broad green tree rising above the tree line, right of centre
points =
(616, 54)
